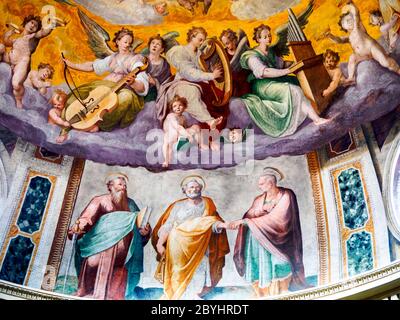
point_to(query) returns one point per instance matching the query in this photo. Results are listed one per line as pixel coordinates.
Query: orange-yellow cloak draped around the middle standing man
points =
(186, 247)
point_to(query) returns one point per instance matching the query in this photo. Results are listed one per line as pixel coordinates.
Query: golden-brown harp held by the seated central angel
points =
(212, 54)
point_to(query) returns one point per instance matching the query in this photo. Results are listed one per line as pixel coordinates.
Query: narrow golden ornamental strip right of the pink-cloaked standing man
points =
(314, 168)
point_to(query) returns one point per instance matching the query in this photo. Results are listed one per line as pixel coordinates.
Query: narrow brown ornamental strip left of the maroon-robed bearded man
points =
(60, 235)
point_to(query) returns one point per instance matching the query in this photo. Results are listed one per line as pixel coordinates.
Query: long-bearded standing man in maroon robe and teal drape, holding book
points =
(109, 252)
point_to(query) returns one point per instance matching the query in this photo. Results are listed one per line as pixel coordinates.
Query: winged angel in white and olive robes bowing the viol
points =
(119, 65)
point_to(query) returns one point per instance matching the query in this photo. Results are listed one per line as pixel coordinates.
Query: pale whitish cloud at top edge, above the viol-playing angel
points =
(128, 12)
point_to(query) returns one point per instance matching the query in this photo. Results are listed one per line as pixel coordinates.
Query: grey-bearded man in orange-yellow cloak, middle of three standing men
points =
(191, 244)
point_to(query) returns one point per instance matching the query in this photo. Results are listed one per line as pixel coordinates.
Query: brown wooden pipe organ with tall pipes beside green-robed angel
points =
(308, 66)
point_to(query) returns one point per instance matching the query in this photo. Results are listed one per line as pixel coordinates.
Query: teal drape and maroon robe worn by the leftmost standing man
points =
(109, 257)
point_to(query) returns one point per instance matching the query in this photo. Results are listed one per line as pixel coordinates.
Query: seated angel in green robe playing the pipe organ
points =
(277, 104)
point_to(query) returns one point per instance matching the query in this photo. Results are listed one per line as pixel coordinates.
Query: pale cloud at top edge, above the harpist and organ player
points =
(259, 9)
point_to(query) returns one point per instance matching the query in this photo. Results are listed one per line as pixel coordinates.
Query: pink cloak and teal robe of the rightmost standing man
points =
(277, 232)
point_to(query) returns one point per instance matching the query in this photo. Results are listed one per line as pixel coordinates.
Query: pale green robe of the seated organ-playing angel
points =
(270, 105)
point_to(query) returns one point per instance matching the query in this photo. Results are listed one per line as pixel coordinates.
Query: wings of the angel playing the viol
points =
(98, 38)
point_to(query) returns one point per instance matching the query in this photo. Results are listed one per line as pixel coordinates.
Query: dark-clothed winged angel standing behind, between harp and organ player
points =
(235, 44)
